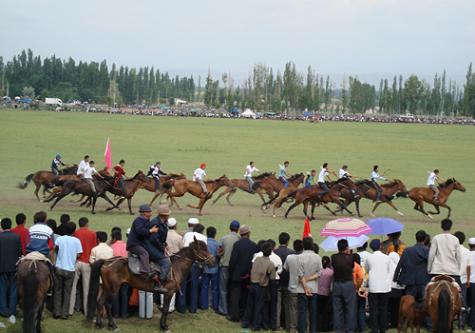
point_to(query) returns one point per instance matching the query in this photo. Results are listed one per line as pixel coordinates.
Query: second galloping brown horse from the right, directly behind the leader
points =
(395, 188)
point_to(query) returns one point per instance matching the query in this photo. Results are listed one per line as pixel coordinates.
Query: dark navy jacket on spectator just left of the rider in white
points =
(412, 268)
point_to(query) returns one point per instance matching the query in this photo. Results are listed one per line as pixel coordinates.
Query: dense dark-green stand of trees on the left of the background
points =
(89, 81)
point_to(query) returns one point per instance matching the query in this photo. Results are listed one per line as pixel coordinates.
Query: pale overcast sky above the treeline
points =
(369, 38)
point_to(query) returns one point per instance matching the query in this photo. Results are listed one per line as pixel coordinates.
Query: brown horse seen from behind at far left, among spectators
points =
(33, 280)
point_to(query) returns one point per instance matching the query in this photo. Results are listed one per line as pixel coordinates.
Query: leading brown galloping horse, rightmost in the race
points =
(421, 194)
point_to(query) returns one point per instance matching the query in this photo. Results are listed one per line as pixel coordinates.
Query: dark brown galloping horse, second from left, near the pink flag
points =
(81, 187)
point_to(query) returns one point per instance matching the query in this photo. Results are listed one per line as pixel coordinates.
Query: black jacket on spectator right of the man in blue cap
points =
(241, 259)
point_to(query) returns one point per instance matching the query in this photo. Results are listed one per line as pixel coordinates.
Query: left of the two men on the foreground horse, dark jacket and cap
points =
(140, 232)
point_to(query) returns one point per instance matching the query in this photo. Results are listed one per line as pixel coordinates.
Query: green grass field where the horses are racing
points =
(29, 141)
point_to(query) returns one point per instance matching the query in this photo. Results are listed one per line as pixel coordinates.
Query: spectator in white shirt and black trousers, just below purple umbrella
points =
(378, 267)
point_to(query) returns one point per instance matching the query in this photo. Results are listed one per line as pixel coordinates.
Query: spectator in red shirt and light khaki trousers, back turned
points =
(88, 240)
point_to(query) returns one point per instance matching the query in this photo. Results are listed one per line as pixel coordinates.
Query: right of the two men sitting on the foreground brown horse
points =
(156, 244)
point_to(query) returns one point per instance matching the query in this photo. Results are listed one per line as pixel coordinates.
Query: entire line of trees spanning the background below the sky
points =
(264, 90)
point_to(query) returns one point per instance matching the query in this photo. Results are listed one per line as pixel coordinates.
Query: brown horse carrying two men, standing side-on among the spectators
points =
(114, 272)
